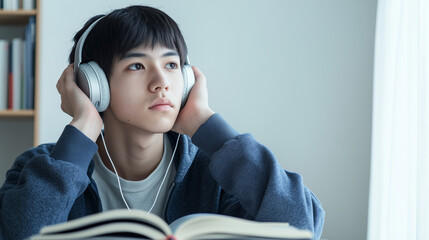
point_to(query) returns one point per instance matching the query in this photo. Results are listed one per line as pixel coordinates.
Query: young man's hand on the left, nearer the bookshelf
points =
(75, 103)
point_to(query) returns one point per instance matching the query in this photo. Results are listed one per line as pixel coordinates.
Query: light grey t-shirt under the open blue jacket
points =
(138, 194)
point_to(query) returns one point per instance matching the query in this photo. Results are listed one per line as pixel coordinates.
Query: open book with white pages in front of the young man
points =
(137, 224)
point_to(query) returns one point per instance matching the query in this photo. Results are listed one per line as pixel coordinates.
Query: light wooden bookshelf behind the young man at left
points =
(13, 22)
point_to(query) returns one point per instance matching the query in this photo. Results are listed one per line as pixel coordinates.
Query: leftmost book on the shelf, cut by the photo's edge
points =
(4, 52)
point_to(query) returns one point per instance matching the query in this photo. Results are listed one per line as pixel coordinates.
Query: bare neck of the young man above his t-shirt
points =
(136, 154)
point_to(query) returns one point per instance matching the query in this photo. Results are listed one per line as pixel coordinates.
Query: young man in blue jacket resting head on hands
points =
(214, 168)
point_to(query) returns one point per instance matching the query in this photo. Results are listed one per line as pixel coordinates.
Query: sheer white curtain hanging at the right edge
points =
(399, 190)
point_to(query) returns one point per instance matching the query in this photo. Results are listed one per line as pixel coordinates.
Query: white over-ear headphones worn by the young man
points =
(91, 78)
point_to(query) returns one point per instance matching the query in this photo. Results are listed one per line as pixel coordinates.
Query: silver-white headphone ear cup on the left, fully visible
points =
(93, 82)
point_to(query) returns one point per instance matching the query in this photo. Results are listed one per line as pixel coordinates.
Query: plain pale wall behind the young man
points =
(296, 74)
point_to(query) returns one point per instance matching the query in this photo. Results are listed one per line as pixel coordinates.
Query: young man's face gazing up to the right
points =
(146, 88)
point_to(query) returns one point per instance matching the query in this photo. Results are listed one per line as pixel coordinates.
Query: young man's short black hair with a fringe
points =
(127, 28)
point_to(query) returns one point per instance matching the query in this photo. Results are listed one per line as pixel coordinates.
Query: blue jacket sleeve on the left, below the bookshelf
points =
(43, 183)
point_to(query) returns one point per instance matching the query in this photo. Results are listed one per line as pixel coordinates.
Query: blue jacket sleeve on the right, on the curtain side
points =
(248, 171)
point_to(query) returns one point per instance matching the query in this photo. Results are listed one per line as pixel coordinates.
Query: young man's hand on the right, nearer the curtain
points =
(196, 110)
